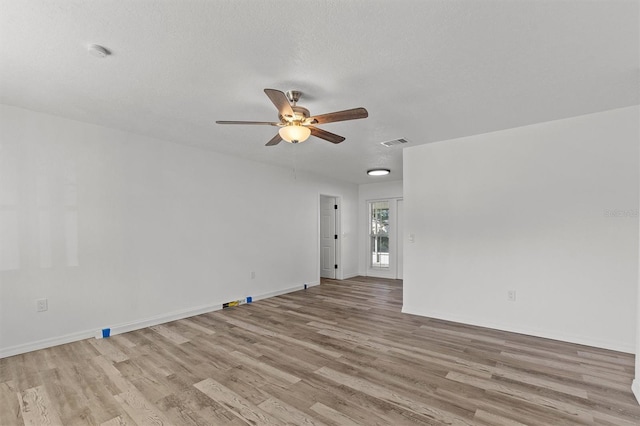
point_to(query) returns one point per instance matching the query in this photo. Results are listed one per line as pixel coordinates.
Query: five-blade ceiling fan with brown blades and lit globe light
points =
(296, 124)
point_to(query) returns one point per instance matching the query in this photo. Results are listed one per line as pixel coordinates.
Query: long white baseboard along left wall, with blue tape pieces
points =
(134, 325)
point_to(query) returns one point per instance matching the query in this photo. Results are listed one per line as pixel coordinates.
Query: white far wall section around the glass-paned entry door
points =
(367, 192)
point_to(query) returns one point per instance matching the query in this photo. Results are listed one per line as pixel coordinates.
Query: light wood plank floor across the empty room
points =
(339, 354)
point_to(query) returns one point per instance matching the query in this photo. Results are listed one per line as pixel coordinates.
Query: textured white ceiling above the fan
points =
(425, 70)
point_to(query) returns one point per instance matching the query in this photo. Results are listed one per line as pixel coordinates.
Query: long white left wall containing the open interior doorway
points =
(117, 229)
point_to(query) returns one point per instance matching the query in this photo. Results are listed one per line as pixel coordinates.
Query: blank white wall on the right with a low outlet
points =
(548, 210)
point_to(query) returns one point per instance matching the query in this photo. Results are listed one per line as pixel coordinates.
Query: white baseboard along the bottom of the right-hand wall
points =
(546, 334)
